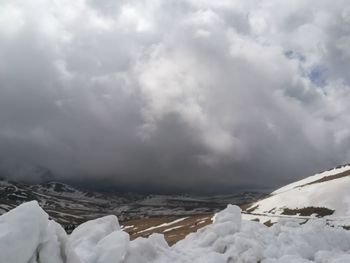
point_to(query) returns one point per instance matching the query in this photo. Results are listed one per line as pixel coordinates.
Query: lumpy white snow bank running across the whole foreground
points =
(27, 235)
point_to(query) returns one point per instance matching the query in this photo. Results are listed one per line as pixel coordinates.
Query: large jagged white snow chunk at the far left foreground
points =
(26, 235)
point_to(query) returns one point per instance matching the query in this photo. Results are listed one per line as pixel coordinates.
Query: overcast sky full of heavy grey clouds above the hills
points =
(176, 95)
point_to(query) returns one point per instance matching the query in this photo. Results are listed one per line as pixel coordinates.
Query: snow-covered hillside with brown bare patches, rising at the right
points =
(324, 195)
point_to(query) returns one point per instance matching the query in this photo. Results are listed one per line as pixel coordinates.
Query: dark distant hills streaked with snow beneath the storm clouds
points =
(70, 206)
